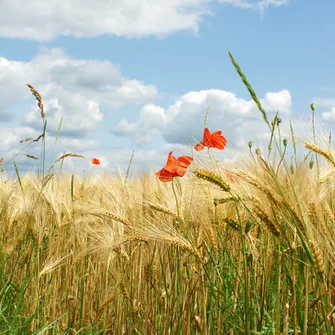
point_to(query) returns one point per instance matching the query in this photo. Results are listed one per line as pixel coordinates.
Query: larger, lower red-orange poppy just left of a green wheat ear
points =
(175, 167)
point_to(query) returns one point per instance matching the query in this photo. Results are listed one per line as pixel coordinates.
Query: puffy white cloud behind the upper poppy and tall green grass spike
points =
(180, 122)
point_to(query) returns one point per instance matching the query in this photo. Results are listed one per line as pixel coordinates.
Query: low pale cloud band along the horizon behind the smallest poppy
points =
(110, 159)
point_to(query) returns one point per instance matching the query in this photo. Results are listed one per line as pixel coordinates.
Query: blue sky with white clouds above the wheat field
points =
(138, 76)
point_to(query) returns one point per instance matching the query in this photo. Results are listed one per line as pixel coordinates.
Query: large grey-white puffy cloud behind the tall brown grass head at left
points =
(70, 88)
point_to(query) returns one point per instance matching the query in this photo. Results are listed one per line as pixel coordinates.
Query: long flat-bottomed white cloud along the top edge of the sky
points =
(45, 20)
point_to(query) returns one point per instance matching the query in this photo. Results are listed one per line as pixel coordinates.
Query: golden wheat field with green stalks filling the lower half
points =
(238, 248)
